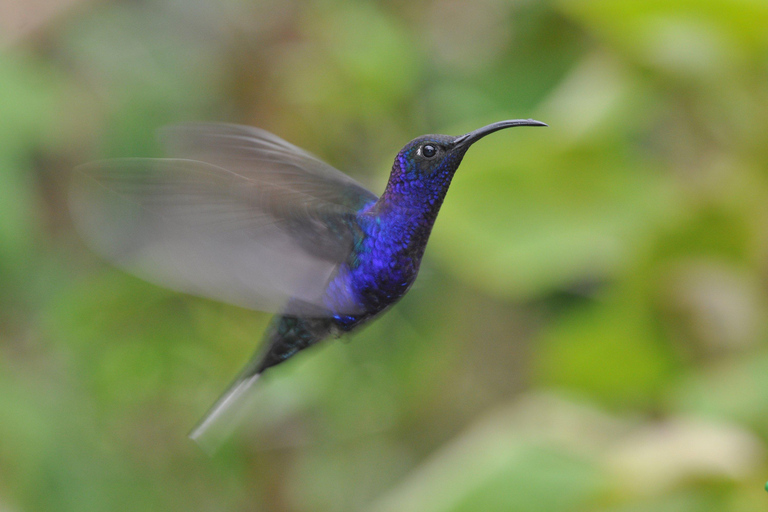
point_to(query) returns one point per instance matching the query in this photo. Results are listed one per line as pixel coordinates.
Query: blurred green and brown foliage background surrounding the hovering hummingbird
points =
(588, 333)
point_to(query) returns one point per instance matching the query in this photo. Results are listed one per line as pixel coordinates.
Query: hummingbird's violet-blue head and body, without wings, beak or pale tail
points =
(391, 236)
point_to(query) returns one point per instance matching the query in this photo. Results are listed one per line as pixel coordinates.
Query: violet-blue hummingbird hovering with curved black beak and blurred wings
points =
(237, 214)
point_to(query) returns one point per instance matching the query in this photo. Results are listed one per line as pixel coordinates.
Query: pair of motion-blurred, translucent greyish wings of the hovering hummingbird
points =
(255, 223)
